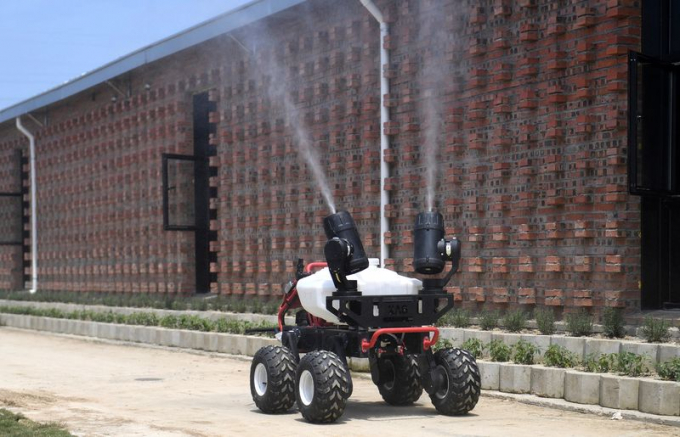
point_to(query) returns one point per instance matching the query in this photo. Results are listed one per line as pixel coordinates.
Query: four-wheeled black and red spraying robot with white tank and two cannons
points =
(351, 308)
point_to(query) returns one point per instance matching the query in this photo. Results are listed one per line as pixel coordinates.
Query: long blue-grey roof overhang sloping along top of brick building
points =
(212, 28)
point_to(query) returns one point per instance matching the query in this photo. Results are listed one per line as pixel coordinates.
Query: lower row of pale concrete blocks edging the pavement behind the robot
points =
(647, 395)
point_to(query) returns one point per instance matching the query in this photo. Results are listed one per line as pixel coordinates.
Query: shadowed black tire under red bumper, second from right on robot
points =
(407, 387)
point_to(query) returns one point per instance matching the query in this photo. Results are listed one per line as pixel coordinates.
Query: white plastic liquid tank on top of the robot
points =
(314, 289)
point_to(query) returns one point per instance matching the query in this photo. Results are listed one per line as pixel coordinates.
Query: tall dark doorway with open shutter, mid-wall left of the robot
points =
(186, 191)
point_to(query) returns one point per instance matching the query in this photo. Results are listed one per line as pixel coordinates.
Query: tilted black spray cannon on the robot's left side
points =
(344, 252)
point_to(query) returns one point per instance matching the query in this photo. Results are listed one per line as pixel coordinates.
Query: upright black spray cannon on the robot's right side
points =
(432, 250)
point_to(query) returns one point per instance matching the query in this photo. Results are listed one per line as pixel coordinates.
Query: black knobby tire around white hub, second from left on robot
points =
(332, 386)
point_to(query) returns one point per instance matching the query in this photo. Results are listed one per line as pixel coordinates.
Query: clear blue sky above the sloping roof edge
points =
(44, 43)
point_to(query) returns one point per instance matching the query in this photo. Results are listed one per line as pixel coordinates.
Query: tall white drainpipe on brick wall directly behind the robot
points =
(384, 118)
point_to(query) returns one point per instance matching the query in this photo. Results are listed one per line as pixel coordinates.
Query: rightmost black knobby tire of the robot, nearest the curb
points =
(464, 382)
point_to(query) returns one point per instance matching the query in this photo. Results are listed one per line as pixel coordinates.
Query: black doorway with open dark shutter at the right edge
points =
(654, 150)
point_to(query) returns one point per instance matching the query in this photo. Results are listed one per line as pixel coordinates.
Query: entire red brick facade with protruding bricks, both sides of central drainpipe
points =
(532, 136)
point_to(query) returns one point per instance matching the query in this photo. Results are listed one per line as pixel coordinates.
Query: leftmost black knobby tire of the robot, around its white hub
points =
(281, 366)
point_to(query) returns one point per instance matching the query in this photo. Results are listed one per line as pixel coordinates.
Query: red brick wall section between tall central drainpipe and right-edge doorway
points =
(532, 147)
